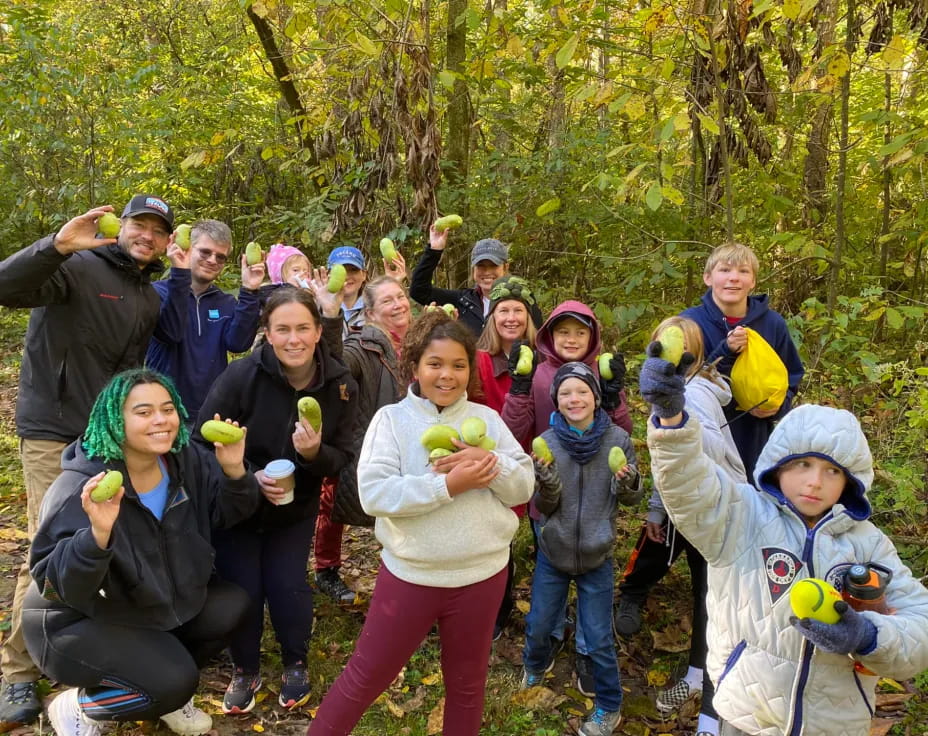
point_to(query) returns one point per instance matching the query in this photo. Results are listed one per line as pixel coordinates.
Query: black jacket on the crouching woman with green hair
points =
(154, 573)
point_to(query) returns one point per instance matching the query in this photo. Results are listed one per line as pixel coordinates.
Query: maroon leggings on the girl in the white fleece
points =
(400, 617)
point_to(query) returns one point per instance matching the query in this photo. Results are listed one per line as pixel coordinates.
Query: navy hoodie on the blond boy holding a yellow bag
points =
(749, 432)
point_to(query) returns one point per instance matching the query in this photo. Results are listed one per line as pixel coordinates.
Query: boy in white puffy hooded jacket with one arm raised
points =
(776, 674)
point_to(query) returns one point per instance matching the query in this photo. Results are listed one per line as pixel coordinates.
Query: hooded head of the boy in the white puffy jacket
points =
(816, 457)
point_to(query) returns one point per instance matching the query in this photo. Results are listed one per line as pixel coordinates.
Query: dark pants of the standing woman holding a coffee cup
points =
(270, 566)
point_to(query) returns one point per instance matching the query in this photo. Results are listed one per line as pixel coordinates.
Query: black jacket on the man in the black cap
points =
(94, 314)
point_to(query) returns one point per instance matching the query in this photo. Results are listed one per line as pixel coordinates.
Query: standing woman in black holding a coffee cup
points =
(268, 554)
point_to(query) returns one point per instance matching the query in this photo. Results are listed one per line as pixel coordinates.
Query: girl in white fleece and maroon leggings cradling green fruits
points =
(445, 528)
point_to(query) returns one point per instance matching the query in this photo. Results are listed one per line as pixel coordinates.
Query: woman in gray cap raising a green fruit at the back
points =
(489, 260)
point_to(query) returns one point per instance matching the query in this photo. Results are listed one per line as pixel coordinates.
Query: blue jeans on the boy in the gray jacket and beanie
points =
(594, 614)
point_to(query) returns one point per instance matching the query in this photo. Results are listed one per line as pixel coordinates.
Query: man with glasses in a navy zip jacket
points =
(195, 335)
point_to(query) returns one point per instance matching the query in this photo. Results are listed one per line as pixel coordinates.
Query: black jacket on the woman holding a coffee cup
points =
(254, 392)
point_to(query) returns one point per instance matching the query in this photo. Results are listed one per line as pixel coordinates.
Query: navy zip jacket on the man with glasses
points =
(194, 337)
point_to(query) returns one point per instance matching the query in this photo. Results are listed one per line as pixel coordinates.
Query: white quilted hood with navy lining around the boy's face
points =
(820, 431)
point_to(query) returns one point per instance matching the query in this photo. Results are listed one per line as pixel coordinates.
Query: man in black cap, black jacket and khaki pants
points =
(93, 313)
